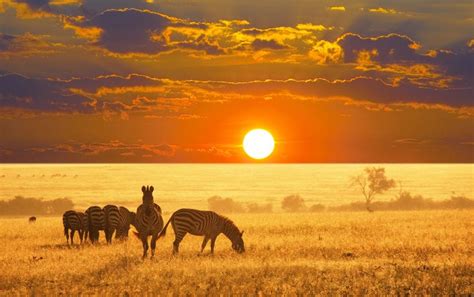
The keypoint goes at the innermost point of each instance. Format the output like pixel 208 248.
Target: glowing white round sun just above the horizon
pixel 258 144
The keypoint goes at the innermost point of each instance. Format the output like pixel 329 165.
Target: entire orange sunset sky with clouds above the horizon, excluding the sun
pixel 179 81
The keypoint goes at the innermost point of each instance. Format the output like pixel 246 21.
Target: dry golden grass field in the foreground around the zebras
pixel 321 253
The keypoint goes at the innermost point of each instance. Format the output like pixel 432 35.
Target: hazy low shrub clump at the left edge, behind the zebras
pixel 37 206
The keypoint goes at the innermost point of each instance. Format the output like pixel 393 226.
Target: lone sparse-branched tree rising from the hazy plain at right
pixel 372 181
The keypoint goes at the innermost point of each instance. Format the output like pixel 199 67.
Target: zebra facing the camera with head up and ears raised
pixel 149 221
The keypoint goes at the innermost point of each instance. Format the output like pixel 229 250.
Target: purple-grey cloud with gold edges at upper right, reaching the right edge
pixel 400 54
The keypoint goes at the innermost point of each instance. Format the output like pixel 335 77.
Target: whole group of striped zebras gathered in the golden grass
pixel 148 221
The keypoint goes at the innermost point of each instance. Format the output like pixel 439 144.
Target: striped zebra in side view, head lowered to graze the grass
pixel 203 223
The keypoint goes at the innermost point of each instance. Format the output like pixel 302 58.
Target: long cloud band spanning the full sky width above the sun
pixel 164 98
